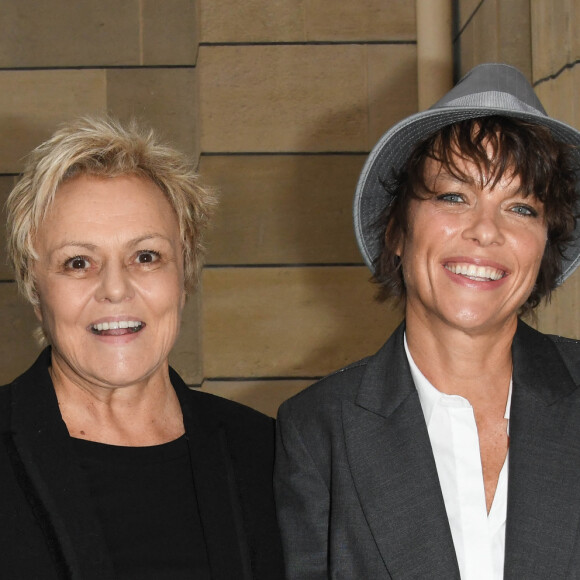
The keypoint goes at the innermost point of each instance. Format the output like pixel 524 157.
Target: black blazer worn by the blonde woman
pixel 47 526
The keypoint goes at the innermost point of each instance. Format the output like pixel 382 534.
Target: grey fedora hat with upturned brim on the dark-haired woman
pixel 488 89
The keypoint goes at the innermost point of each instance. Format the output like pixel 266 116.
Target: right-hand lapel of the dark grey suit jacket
pixel 544 468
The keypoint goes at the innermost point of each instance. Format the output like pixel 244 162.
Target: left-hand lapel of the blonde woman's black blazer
pixel 43 456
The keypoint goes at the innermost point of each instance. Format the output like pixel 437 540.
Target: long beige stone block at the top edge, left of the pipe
pixel 306 20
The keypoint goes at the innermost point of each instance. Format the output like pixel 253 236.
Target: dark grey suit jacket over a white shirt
pixel 357 490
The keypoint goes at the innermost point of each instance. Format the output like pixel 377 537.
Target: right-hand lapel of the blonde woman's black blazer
pixel 215 487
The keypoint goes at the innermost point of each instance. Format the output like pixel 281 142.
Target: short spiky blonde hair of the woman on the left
pixel 102 147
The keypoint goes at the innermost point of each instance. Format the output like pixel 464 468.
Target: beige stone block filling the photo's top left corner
pixel 57 33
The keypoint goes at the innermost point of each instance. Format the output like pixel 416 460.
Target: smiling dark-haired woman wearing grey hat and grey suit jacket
pixel 454 451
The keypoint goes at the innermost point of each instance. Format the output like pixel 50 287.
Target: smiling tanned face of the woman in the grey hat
pixel 473 250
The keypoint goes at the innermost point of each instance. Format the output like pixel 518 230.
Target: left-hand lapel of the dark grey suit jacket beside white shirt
pixel 394 470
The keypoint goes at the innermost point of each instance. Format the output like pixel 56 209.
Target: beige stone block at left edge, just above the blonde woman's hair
pixel 34 103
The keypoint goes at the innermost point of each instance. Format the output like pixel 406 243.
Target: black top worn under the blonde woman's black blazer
pixel 145 500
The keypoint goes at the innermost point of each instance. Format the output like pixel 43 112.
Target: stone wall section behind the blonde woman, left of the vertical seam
pixel 62 59
